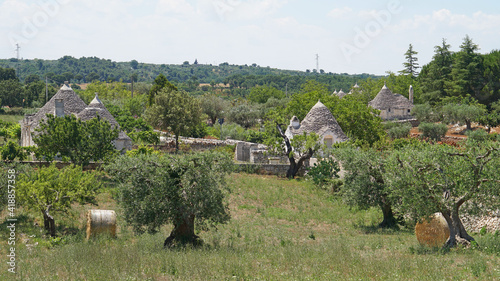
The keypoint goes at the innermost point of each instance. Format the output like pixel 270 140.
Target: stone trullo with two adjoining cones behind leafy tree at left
pixel 66 102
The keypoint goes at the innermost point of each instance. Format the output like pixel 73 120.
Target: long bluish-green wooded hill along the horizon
pixel 87 69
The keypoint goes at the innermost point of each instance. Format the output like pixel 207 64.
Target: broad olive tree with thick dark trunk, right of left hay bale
pixel 184 190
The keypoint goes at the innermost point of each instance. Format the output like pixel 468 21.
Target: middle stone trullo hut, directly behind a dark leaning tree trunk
pixel 320 121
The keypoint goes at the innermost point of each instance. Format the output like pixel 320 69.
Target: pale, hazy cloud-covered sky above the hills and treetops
pixel 338 36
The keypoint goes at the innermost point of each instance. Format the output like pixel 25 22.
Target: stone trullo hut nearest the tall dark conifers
pixel 391 106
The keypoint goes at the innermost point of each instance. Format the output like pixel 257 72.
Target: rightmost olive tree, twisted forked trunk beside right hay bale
pixel 440 178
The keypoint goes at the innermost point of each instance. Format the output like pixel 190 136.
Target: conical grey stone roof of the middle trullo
pixel 319 120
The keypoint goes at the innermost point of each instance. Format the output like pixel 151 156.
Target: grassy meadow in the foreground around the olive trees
pixel 280 230
